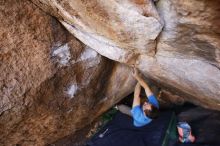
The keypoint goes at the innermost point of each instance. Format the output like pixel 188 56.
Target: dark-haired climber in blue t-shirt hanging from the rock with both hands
pixel 142 114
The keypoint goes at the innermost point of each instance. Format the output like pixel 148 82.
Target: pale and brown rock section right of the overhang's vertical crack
pixel 188 50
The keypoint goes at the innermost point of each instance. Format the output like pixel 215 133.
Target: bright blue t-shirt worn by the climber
pixel 138 115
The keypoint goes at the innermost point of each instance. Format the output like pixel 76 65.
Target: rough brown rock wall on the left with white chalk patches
pixel 51 83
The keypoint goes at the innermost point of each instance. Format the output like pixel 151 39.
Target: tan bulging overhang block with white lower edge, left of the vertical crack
pixel 120 30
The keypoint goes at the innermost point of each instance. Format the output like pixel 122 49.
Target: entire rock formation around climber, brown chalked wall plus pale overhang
pixel 52 84
